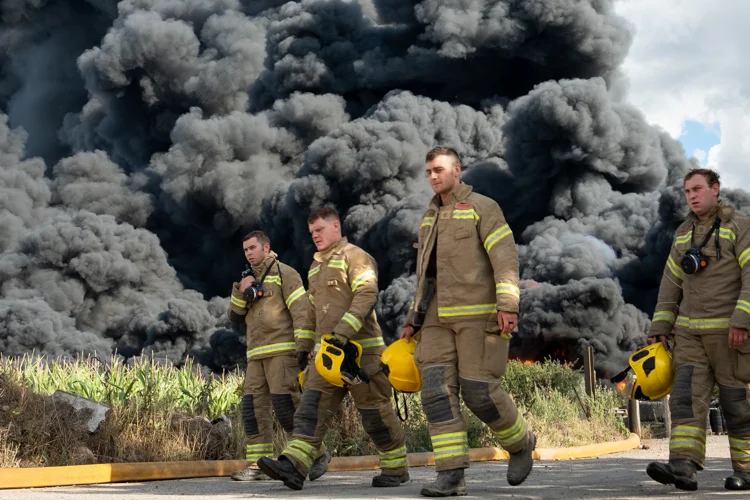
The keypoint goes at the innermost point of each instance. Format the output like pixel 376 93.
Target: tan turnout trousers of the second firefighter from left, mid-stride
pixel 321 400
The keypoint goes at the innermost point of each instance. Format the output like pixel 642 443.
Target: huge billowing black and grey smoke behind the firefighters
pixel 141 139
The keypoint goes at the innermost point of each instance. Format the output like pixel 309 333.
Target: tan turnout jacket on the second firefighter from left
pixel 343 289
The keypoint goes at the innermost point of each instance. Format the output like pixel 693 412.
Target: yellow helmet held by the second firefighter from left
pixel 340 366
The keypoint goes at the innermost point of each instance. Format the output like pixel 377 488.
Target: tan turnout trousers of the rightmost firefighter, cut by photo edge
pixel 700 361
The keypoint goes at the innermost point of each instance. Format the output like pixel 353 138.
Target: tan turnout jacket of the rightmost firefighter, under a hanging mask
pixel 717 297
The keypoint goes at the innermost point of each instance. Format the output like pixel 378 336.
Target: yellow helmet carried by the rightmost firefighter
pixel 653 371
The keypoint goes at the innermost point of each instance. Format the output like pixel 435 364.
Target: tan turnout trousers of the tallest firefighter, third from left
pixel 469 358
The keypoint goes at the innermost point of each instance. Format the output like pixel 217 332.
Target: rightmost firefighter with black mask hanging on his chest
pixel 705 293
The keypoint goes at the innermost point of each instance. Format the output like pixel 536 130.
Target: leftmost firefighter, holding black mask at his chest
pixel 272 302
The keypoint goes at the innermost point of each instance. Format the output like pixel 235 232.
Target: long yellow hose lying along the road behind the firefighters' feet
pixel 149 471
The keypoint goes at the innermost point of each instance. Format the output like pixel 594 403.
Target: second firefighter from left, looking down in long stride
pixel 343 289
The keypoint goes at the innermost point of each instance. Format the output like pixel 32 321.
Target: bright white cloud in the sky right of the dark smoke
pixel 688 62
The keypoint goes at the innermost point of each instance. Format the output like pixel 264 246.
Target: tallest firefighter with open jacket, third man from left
pixel 466 308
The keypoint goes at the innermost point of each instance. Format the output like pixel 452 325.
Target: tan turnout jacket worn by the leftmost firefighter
pixel 275 322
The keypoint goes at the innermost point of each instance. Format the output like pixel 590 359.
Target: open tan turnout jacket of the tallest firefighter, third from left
pixel 476 261
